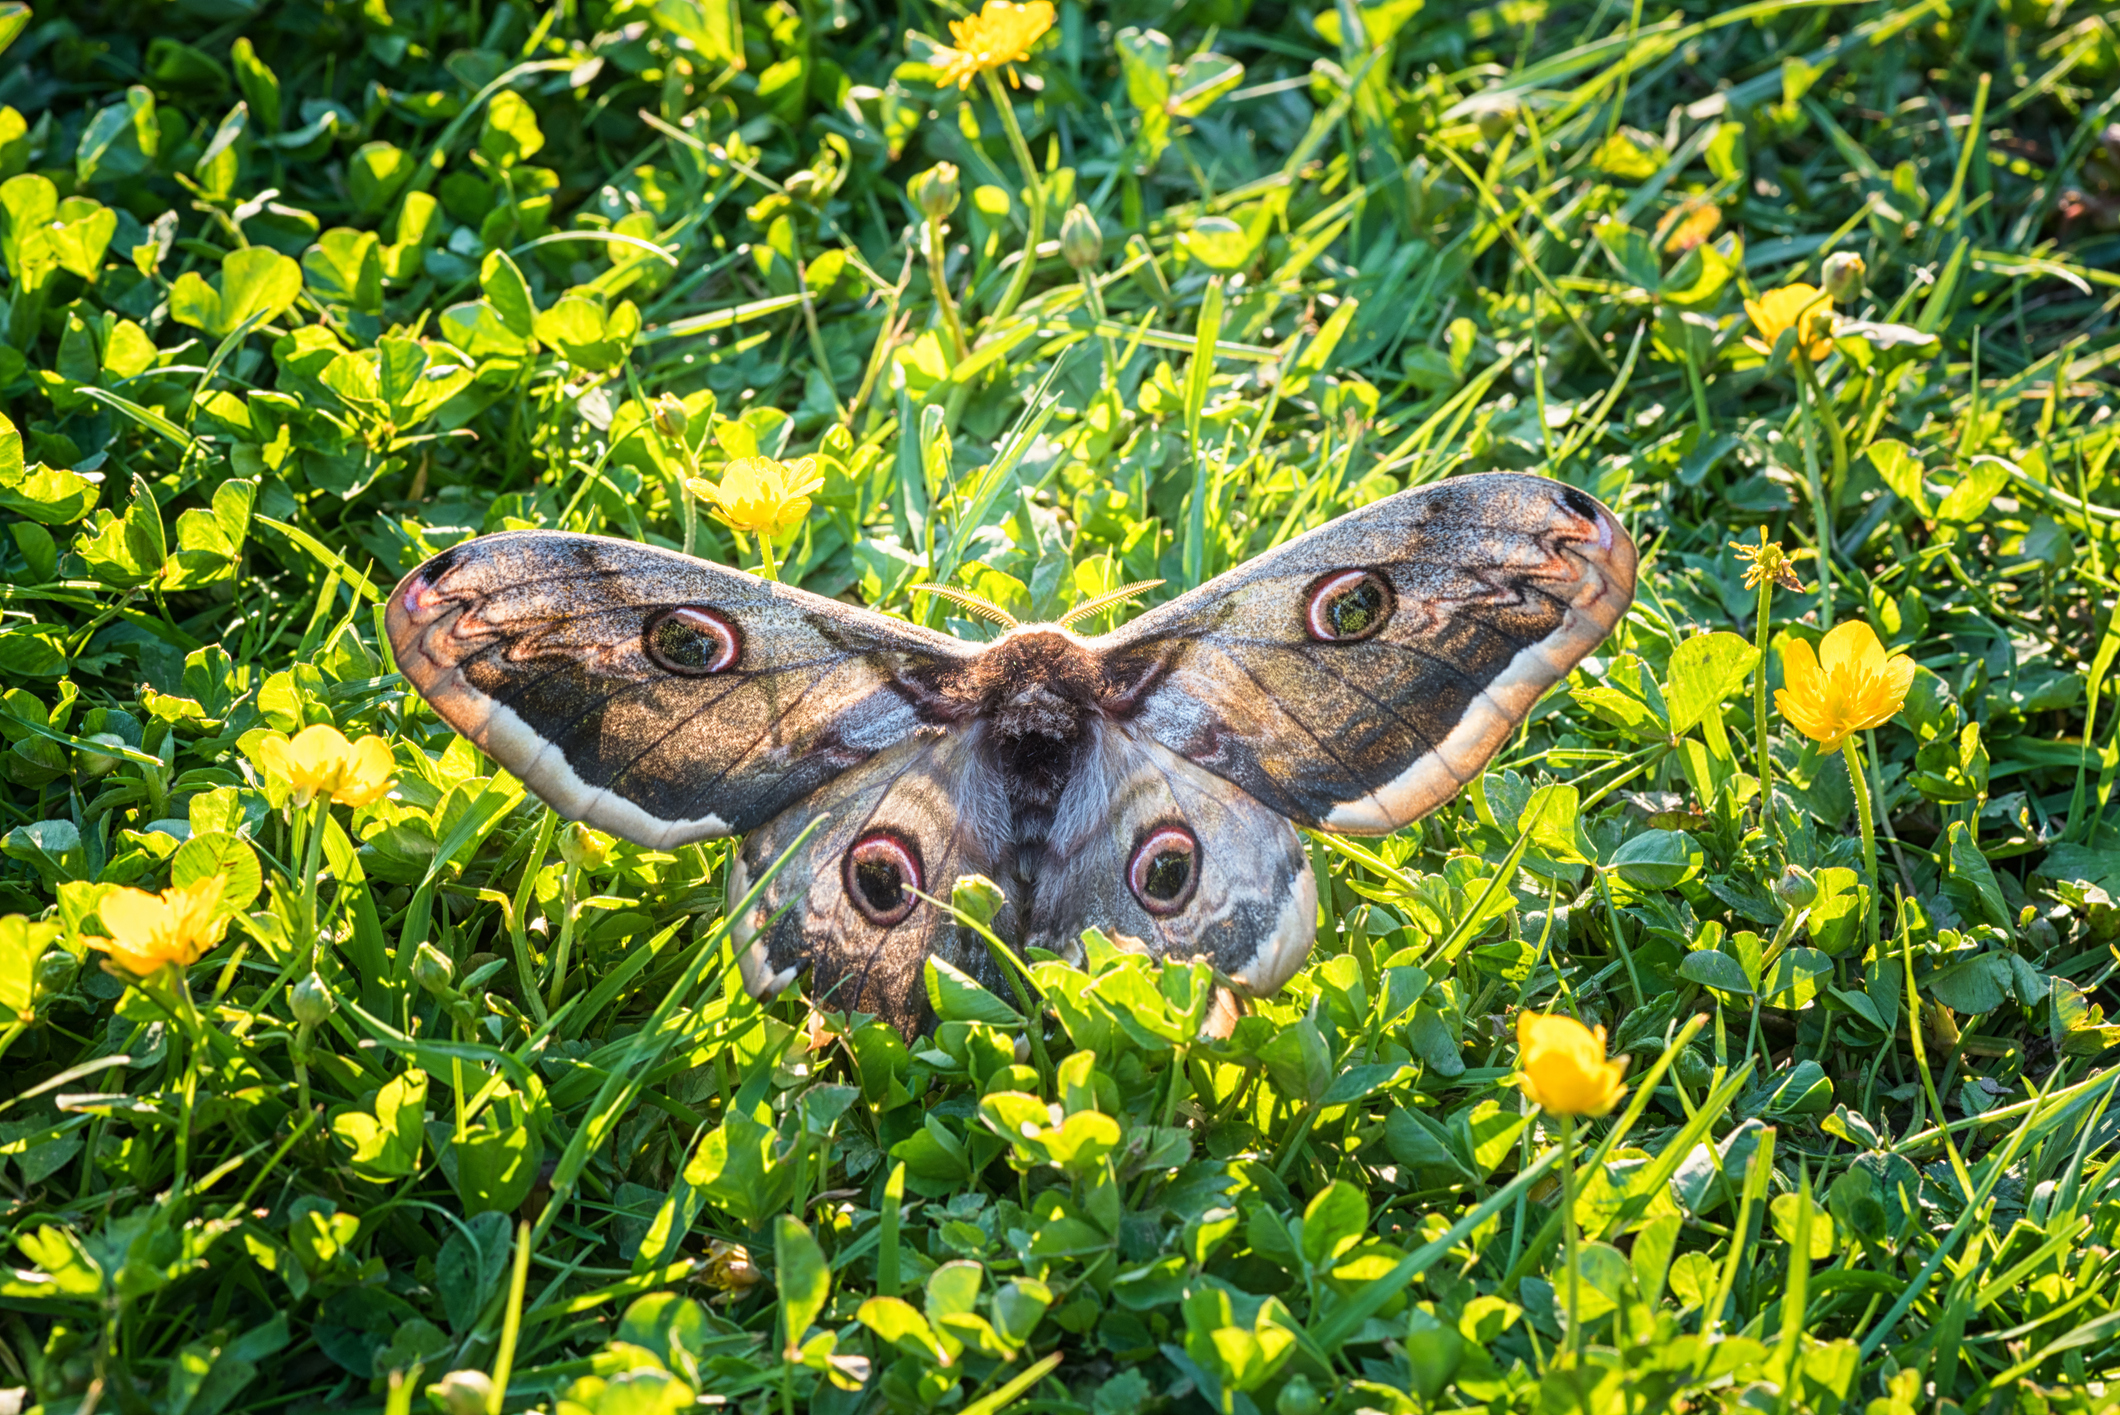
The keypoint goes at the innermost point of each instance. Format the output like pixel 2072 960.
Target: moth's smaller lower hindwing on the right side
pixel 1152 848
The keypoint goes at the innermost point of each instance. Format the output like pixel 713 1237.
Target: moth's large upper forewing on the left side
pixel 646 693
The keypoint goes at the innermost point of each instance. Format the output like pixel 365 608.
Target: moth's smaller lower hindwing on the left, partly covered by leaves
pixel 849 905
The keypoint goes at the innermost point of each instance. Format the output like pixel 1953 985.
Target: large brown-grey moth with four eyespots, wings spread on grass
pixel 1146 782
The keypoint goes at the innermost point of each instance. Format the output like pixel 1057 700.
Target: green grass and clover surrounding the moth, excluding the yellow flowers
pixel 300 294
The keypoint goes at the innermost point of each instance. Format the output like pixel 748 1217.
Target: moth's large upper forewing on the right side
pixel 1364 674
